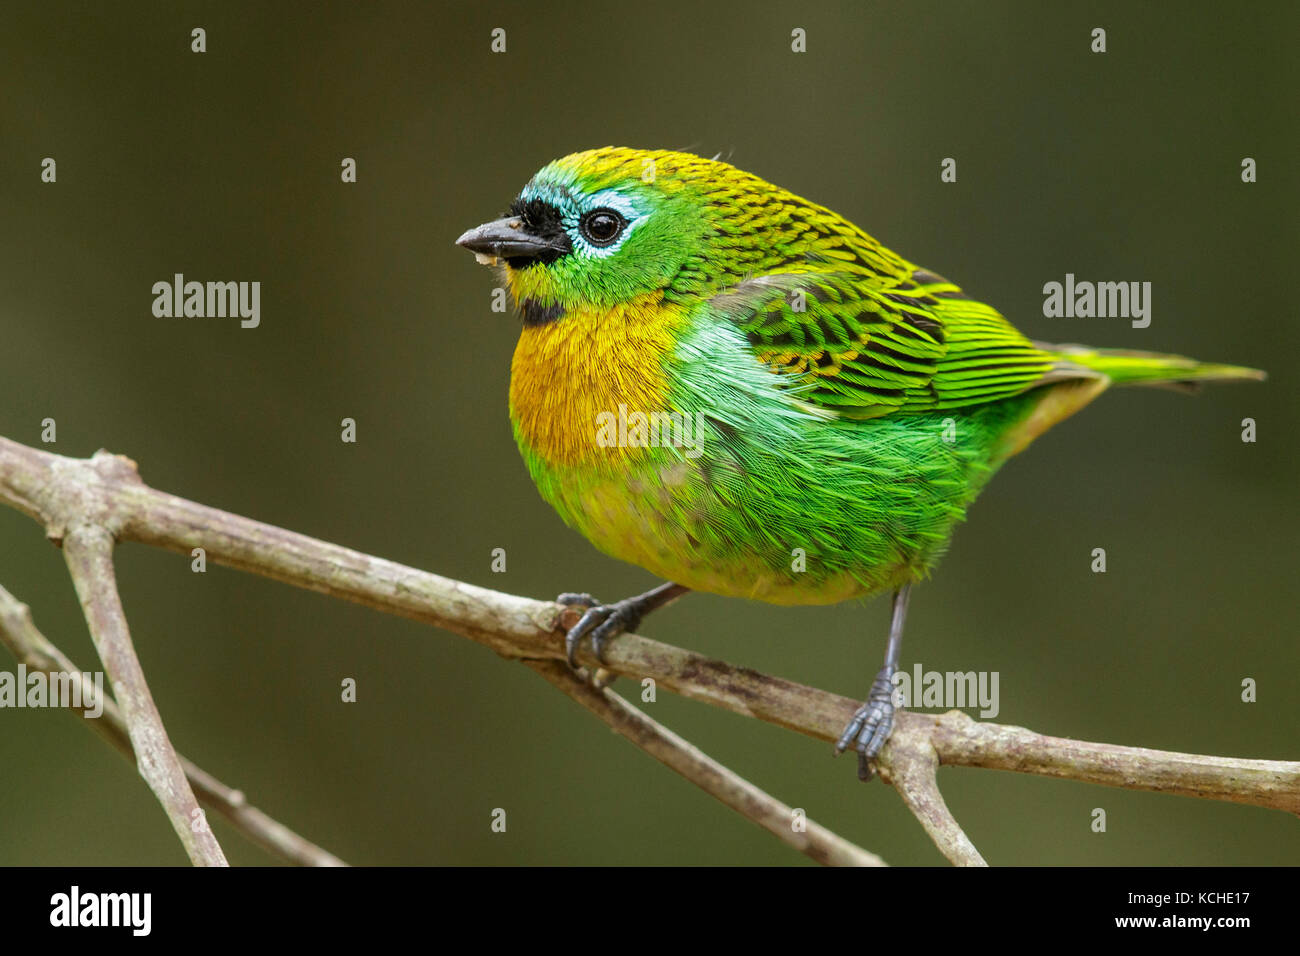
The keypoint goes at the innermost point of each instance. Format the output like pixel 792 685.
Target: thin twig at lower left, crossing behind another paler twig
pixel 29 646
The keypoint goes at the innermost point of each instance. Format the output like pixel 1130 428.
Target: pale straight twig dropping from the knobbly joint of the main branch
pixel 89 551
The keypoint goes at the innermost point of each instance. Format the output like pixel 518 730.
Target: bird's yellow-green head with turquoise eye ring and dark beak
pixel 599 228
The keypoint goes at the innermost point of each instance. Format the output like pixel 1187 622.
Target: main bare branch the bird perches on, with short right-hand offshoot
pixel 58 491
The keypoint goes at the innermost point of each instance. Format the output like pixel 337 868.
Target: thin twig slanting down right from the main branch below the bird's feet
pixel 814 841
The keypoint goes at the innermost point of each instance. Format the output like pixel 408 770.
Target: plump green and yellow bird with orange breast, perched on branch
pixel 747 395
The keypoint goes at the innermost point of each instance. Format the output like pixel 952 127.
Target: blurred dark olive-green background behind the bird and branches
pixel 226 166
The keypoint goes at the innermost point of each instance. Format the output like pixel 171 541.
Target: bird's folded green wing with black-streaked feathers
pixel 855 349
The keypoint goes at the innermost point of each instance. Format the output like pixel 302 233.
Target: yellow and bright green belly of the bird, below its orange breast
pixel 785 524
